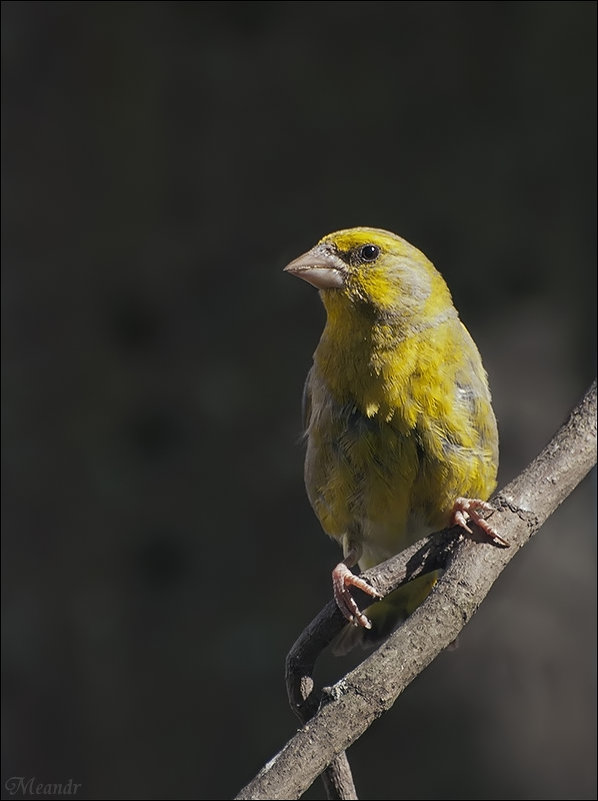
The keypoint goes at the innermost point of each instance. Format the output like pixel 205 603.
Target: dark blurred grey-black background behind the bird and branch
pixel 161 163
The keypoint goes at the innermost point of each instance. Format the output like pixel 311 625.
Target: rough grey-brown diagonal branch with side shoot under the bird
pixel 471 566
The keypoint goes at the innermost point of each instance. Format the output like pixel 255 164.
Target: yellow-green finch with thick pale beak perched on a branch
pixel 401 437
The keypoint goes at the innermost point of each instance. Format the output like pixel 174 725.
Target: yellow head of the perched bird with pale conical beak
pixel 374 273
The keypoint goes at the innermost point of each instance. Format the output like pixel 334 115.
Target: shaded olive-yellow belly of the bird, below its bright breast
pixel 371 482
